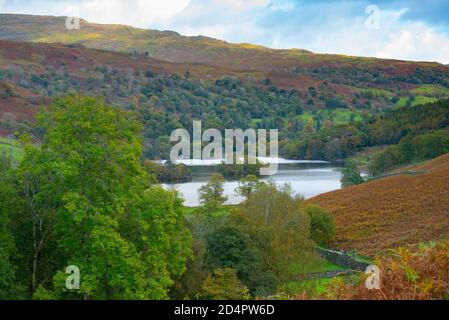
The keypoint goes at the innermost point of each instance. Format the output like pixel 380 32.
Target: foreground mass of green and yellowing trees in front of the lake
pixel 83 198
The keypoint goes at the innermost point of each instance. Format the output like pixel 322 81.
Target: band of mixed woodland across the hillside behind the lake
pixel 168 102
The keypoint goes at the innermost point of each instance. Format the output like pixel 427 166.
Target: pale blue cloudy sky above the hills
pixel 409 30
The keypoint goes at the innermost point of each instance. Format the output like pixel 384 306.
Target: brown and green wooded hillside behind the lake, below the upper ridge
pixel 320 122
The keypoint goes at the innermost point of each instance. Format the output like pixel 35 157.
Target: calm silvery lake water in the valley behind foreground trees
pixel 307 178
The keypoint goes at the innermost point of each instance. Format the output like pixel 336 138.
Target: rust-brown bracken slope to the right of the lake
pixel 394 211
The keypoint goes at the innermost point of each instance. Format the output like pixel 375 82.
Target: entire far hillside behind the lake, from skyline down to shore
pixel 314 100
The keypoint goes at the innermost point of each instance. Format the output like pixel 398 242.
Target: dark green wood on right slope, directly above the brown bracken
pixel 388 128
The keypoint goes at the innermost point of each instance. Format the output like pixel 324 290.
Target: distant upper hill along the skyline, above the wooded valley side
pixel 293 68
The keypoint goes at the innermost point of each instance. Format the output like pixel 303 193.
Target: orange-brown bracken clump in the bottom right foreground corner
pixel 420 274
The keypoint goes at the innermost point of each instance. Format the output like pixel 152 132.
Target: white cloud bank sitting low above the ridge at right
pixel 394 39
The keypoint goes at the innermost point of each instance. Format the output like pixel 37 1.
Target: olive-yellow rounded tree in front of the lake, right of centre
pixel 279 228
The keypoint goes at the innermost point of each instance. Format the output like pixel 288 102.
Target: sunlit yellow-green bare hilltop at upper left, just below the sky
pixel 164 45
